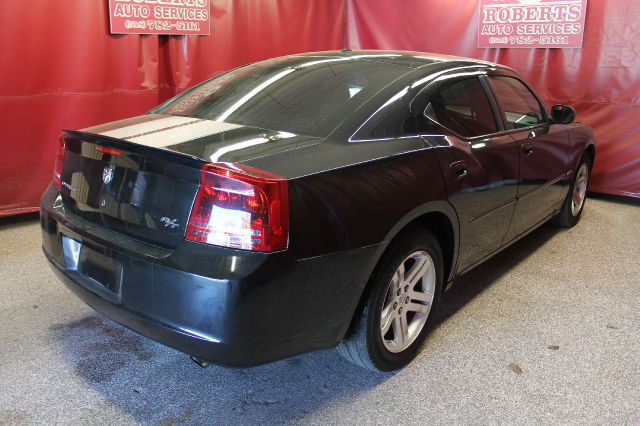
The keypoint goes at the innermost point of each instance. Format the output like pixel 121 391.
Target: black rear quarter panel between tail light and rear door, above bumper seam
pixel 344 196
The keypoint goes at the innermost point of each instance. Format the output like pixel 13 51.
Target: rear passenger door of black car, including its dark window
pixel 480 166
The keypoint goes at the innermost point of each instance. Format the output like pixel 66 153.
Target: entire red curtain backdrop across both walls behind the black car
pixel 62 69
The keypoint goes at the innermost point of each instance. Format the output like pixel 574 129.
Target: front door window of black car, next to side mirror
pixel 520 106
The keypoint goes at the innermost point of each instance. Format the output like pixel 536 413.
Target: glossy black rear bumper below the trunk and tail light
pixel 229 307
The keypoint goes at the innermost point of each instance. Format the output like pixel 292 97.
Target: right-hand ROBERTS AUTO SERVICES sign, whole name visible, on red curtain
pixel 531 23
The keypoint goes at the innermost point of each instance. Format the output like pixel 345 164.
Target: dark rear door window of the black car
pixel 462 106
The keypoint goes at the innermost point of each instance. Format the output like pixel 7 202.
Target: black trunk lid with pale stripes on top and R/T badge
pixel 140 176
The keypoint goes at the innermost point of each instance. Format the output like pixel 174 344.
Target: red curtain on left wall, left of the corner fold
pixel 62 69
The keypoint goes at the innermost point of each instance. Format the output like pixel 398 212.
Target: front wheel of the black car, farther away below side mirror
pixel 574 203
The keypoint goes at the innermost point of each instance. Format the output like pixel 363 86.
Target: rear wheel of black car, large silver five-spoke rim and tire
pixel 398 309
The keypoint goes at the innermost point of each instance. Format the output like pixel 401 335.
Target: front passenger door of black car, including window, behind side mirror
pixel 543 152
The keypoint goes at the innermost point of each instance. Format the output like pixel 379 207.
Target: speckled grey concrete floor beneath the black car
pixel 548 331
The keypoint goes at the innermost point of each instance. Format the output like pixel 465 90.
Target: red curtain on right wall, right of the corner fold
pixel 601 80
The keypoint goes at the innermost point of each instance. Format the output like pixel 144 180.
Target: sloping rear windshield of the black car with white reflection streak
pixel 309 96
